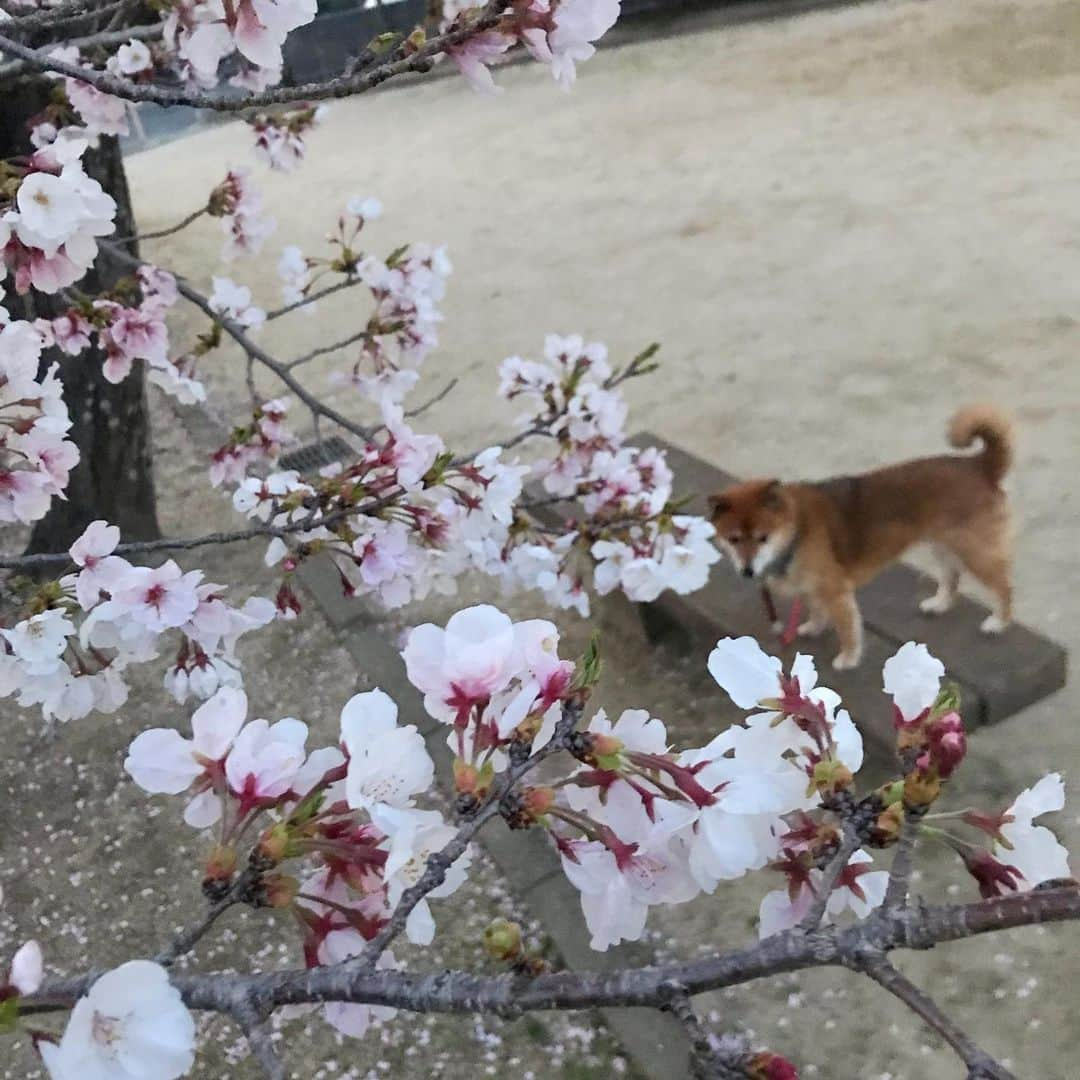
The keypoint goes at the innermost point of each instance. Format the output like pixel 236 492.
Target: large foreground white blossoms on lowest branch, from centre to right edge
pixel 638 825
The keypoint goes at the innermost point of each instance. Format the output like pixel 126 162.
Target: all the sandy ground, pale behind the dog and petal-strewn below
pixel 841 226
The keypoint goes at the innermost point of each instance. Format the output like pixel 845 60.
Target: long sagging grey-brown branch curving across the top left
pixel 399 63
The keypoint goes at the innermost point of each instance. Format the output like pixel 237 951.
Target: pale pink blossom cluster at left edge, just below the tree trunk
pixel 70 651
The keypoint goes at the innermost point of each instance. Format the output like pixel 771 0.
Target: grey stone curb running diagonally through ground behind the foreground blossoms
pixel 654 1039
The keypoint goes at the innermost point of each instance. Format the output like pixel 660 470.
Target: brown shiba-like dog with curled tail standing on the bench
pixel 822 542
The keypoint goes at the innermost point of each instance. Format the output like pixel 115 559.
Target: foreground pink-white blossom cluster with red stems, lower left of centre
pixel 344 817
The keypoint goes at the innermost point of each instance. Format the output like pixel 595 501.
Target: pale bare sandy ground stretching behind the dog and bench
pixel 840 226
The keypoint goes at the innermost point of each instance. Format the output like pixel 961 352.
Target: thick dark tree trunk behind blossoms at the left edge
pixel 111 424
